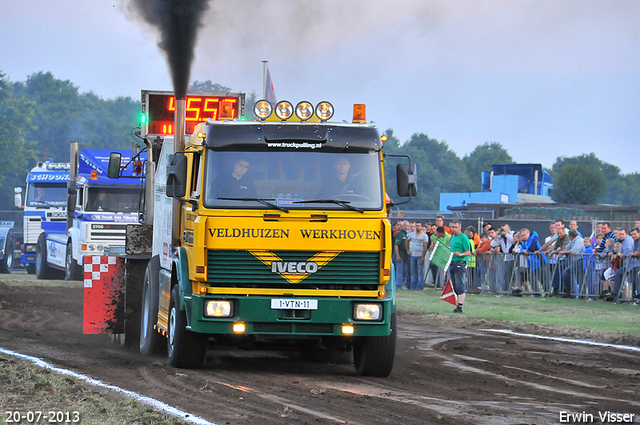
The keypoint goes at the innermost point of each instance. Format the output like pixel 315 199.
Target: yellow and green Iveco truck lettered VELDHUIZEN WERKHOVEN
pixel 266 233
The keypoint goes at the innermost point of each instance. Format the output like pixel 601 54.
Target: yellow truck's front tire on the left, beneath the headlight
pixel 186 349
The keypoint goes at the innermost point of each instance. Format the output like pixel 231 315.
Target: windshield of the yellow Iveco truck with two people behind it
pixel 293 180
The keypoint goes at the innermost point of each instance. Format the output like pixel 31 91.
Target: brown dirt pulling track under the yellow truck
pixel 448 370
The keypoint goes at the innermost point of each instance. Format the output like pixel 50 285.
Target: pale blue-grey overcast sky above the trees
pixel 545 78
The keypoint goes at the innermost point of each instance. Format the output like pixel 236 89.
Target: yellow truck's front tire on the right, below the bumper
pixel 373 355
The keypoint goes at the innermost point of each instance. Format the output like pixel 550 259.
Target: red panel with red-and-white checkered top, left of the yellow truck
pixel 104 300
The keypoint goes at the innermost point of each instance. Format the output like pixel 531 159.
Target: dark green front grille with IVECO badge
pixel 242 269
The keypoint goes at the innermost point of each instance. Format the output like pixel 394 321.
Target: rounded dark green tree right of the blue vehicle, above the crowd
pixel 579 184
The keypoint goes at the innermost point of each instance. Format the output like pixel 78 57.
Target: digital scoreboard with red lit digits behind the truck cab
pixel 158 110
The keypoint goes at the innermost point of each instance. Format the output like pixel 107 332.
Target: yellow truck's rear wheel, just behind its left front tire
pixel 151 342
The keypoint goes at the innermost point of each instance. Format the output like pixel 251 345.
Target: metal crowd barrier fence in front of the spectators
pixel 578 276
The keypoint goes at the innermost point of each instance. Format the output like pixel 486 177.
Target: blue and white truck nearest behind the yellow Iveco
pixel 100 210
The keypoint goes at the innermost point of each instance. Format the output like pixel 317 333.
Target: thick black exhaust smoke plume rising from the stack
pixel 178 22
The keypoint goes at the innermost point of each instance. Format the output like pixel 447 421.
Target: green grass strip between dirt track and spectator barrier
pixel 590 315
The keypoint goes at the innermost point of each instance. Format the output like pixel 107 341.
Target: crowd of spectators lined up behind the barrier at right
pixel 604 265
